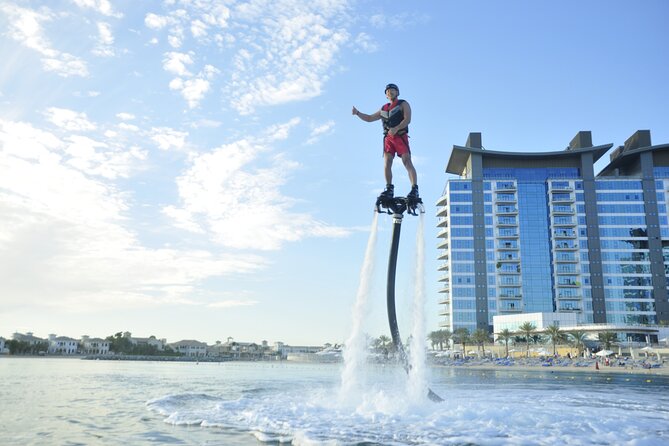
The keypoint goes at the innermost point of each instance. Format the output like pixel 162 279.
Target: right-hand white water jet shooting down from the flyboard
pixel 417 381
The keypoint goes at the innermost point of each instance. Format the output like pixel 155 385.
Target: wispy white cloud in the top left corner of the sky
pixel 25 26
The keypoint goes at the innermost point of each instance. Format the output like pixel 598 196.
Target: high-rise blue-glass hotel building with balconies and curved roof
pixel 540 232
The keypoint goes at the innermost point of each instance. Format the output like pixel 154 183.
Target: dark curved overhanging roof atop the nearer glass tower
pixel 460 154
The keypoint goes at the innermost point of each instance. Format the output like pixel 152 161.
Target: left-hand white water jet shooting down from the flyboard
pixel 355 350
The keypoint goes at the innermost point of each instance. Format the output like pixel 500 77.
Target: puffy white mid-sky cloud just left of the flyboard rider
pixel 233 193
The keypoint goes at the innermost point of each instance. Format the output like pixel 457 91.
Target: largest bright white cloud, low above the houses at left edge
pixel 65 239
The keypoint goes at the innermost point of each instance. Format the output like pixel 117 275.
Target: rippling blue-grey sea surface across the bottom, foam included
pixel 46 401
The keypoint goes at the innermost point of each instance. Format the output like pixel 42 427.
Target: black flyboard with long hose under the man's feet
pixel 397 206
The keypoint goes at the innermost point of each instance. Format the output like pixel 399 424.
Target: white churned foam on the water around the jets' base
pixel 495 413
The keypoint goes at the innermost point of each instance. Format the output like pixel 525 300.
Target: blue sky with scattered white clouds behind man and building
pixel 191 169
